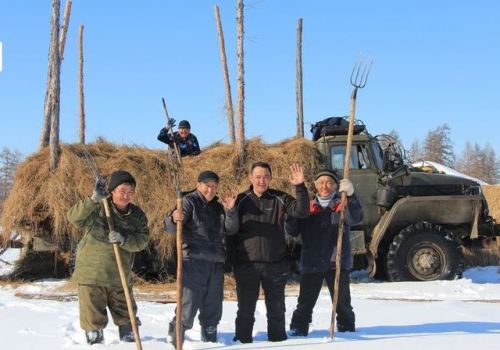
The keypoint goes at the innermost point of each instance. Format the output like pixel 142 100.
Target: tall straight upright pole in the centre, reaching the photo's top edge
pixel 241 85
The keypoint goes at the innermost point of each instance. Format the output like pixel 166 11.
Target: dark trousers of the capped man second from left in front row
pixel 202 290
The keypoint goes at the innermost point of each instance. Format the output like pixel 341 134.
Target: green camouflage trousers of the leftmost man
pixel 93 302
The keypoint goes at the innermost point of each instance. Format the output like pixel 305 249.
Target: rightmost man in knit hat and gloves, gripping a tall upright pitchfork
pixel 319 232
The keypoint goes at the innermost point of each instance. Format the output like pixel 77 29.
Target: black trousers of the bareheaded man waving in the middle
pixel 249 278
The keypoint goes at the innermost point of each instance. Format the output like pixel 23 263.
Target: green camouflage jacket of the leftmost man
pixel 95 259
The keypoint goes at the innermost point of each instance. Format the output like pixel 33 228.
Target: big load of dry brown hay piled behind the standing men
pixel 38 202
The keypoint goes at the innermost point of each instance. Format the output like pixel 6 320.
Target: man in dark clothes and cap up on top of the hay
pixel 188 143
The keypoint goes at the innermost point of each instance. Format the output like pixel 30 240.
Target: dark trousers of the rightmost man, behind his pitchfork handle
pixel 310 287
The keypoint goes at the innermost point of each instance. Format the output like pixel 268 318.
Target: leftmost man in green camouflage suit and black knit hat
pixel 96 270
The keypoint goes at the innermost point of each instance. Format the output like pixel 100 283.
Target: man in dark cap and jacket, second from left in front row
pixel 203 219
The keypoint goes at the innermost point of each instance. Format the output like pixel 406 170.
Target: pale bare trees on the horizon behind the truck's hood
pixel 475 160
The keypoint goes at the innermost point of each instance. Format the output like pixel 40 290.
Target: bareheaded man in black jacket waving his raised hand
pixel 260 249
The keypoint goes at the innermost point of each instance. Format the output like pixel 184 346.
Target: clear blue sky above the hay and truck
pixel 434 62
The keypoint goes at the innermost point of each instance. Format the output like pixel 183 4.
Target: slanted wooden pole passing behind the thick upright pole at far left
pixel 45 135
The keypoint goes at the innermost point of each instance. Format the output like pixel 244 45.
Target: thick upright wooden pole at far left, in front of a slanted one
pixel 54 87
